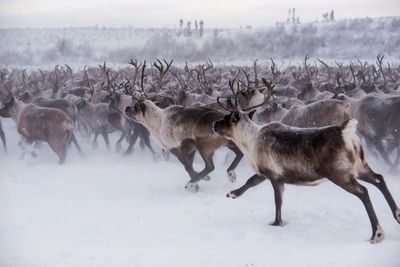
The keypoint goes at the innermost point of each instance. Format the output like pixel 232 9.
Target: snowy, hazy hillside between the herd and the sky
pixel 342 40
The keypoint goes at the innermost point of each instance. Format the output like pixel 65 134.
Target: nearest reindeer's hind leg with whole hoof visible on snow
pixel 352 186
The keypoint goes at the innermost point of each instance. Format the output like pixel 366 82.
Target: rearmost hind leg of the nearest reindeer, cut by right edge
pixel 378 181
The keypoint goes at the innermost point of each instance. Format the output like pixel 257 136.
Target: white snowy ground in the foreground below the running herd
pixel 109 210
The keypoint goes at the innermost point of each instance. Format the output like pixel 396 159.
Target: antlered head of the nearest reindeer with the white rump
pixel 237 118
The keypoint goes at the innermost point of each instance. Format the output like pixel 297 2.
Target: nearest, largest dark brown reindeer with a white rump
pixel 285 154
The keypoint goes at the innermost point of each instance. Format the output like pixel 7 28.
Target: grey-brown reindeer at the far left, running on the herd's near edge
pixel 36 123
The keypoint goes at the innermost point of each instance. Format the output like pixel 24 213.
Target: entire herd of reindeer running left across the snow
pixel 295 125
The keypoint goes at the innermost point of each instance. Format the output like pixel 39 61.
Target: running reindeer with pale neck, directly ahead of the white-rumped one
pixel 183 131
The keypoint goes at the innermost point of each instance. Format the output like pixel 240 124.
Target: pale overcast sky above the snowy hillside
pixel 166 13
